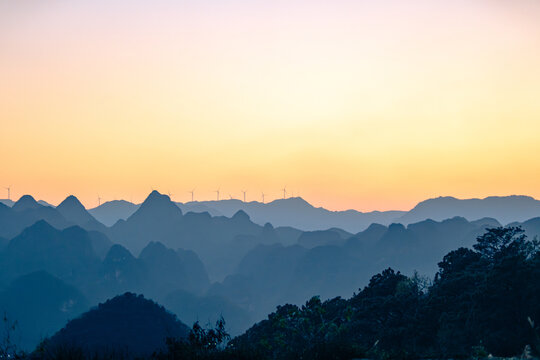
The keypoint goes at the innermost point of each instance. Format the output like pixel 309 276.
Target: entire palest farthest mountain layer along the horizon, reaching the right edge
pixel 299 214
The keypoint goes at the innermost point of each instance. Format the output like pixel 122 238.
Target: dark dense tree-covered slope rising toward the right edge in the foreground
pixel 483 300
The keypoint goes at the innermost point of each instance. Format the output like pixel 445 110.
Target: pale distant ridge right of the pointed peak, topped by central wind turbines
pixel 298 213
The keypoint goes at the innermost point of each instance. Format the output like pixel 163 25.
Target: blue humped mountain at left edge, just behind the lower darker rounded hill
pixel 67 254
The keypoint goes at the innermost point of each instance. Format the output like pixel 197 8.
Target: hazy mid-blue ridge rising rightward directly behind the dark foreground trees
pixel 275 274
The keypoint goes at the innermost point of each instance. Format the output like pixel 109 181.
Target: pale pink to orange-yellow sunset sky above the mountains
pixel 364 104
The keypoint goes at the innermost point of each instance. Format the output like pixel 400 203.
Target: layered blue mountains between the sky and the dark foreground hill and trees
pixel 201 266
